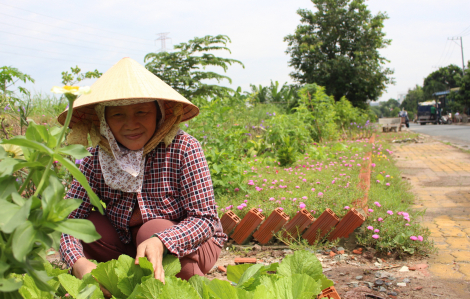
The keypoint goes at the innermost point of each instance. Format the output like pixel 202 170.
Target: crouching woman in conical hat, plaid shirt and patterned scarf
pixel 152 177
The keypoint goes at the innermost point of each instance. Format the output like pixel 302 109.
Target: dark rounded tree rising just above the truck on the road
pixel 443 79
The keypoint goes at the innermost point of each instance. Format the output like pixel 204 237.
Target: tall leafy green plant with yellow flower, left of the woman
pixel 33 223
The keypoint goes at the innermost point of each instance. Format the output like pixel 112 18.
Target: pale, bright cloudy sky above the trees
pixel 44 38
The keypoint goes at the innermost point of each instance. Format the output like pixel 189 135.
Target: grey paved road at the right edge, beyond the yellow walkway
pixel 456 134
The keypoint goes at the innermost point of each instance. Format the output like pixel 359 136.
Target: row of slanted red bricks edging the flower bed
pixel 302 224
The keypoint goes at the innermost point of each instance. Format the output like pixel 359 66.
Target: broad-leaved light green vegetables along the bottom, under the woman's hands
pixel 298 276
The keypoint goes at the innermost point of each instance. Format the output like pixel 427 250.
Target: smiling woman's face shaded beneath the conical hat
pixel 132 125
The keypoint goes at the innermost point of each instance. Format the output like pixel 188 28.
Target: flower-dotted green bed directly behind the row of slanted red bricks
pixel 314 184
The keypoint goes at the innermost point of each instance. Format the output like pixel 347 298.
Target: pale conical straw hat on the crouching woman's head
pixel 127 79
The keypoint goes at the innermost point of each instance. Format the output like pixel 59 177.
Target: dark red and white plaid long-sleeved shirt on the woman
pixel 177 186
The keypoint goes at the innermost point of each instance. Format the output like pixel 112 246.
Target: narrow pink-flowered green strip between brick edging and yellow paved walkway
pixel 392 221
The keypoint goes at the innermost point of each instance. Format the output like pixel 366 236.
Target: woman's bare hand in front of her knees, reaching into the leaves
pixel 153 249
